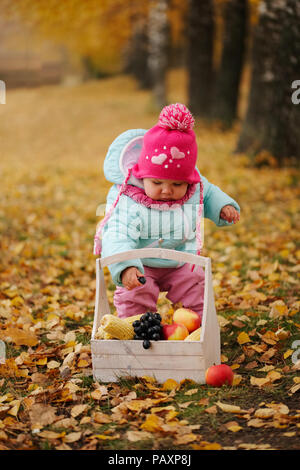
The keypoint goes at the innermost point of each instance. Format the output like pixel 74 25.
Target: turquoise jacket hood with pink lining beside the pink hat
pixel 122 154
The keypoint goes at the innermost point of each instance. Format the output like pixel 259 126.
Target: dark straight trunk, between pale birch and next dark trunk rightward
pixel 200 35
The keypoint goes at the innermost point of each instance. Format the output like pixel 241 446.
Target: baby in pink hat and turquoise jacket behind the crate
pixel 160 203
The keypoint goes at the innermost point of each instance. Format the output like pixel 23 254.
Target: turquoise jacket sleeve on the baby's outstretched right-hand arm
pixel 214 199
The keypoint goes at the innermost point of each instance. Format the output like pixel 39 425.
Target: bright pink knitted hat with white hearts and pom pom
pixel 169 148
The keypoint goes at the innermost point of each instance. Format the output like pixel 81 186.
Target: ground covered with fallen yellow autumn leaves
pixel 53 142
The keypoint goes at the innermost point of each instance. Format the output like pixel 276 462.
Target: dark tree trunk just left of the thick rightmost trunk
pixel 229 74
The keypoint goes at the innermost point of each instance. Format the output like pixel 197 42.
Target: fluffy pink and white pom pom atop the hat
pixel 176 117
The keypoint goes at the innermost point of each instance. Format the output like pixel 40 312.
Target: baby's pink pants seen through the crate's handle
pixel 182 285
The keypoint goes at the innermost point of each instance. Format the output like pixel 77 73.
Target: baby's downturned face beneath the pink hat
pixel 164 190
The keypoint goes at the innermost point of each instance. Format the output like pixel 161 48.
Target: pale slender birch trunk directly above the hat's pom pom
pixel 158 36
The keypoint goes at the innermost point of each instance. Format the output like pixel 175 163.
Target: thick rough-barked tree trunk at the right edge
pixel 272 120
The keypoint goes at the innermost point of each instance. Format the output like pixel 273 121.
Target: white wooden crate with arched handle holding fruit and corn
pixel 178 360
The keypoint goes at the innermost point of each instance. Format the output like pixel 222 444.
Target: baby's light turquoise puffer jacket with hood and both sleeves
pixel 133 224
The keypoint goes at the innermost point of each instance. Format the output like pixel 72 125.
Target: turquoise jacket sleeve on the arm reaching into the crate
pixel 121 233
